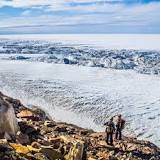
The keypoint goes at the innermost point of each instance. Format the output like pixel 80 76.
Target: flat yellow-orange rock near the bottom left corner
pixel 19 148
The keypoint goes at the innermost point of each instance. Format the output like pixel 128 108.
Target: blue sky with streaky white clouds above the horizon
pixel 79 16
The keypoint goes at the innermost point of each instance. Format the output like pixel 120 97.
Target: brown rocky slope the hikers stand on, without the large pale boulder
pixel 40 138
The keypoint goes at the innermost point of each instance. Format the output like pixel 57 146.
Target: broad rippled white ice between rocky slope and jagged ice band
pixel 87 96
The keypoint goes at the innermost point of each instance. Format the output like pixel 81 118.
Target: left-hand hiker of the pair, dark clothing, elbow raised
pixel 110 129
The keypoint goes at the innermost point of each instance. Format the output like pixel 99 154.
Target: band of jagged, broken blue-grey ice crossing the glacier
pixel 141 61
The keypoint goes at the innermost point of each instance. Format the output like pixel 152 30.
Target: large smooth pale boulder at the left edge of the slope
pixel 8 122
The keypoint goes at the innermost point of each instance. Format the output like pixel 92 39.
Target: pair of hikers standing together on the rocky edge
pixel 112 128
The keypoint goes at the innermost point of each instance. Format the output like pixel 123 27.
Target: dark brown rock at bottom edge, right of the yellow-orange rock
pixel 51 153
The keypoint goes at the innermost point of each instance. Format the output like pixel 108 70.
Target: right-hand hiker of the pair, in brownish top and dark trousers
pixel 119 127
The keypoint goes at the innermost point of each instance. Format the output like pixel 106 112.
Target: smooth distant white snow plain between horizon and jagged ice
pixel 109 41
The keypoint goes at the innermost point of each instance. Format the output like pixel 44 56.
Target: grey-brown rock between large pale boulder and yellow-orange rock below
pixel 22 138
